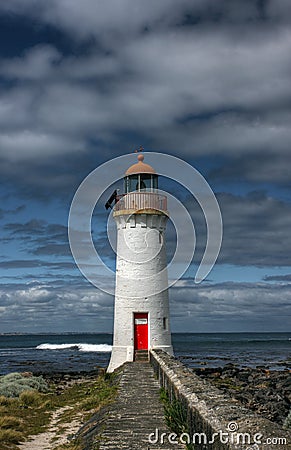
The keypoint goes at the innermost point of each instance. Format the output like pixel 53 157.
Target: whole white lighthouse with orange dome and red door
pixel 141 312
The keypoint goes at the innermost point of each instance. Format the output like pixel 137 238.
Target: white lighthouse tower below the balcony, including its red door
pixel 140 321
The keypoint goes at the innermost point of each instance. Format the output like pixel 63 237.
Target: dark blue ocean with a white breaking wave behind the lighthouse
pixel 72 352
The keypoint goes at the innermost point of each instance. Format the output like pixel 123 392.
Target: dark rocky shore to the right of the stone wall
pixel 262 390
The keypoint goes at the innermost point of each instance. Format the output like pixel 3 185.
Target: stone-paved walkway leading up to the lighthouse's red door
pixel 137 413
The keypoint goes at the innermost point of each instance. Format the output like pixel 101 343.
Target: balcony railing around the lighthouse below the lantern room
pixel 136 201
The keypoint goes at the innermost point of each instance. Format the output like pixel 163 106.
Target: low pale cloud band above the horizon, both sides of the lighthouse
pixel 225 306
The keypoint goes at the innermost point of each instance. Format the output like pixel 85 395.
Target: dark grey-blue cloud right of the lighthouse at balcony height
pixel 256 230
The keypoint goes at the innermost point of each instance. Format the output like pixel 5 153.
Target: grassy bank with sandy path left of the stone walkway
pixel 31 411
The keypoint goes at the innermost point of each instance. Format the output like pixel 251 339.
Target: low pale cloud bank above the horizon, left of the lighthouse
pixel 43 307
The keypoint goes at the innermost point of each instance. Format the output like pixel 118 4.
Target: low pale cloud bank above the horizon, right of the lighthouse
pixel 232 306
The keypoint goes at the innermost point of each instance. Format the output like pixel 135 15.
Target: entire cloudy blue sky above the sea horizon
pixel 84 82
